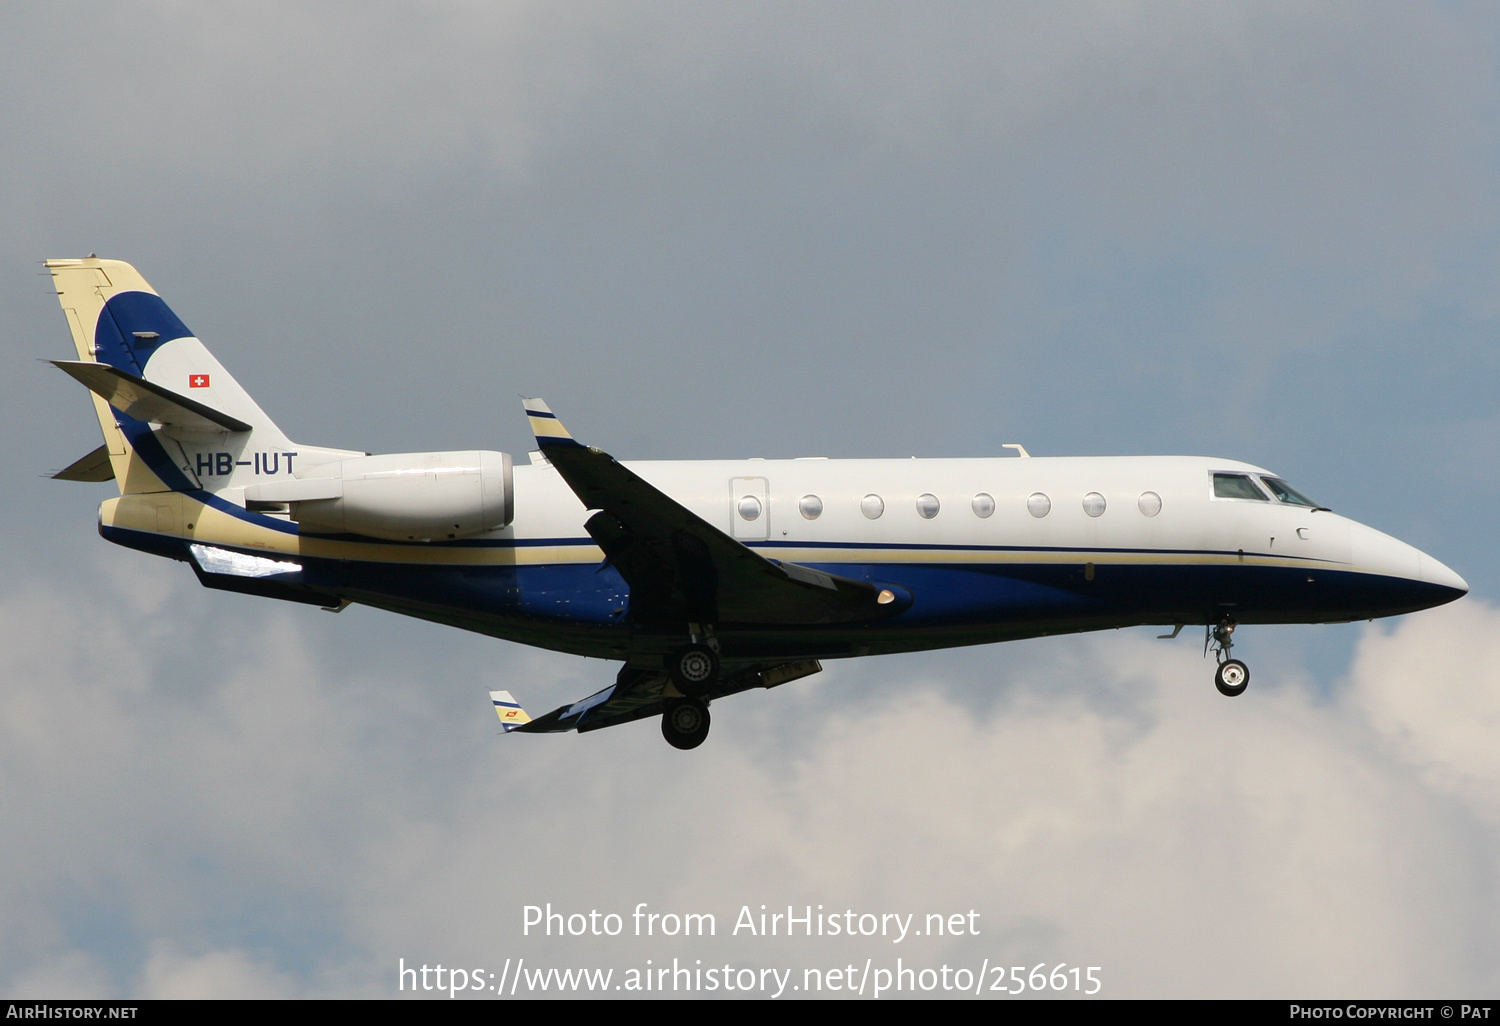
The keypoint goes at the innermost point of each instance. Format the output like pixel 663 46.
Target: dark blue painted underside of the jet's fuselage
pixel 581 608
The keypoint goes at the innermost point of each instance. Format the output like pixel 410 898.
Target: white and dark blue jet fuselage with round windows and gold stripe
pixel 1064 545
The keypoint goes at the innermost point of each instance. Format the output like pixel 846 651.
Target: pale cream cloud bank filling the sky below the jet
pixel 1109 809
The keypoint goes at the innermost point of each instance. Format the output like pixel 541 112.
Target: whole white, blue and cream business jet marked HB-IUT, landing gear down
pixel 703 578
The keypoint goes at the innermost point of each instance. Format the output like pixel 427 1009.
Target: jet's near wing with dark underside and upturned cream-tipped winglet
pixel 683 569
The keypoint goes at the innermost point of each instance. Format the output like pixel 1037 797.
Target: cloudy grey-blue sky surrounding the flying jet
pixel 1259 232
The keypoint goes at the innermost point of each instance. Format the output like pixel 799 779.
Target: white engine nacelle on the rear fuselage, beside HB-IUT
pixel 407 497
